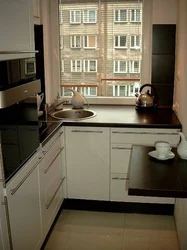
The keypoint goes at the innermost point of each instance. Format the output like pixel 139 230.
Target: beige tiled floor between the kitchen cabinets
pixel 85 230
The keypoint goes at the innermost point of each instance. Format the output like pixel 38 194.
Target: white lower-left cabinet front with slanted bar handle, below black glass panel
pixel 24 208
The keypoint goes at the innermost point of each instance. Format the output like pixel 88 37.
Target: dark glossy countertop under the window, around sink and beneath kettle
pixel 126 116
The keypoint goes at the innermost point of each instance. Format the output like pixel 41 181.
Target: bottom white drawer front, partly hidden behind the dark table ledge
pixel 119 192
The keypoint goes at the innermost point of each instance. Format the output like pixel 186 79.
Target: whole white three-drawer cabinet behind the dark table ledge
pixel 122 140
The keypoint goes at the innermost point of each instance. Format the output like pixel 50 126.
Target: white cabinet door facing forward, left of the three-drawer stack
pixel 87 159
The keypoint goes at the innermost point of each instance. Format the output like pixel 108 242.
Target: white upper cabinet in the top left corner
pixel 16 28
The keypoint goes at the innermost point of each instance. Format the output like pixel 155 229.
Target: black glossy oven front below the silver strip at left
pixel 19 131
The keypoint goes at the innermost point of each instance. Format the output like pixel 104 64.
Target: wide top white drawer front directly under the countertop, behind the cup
pixel 144 136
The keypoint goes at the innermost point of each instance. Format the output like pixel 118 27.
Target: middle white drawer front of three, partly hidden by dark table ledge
pixel 120 156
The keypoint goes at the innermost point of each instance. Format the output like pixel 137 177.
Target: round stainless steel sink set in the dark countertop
pixel 73 114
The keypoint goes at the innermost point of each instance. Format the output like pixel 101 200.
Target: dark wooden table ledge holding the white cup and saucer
pixel 152 177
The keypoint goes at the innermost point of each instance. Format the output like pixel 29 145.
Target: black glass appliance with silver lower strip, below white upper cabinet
pixel 18 81
